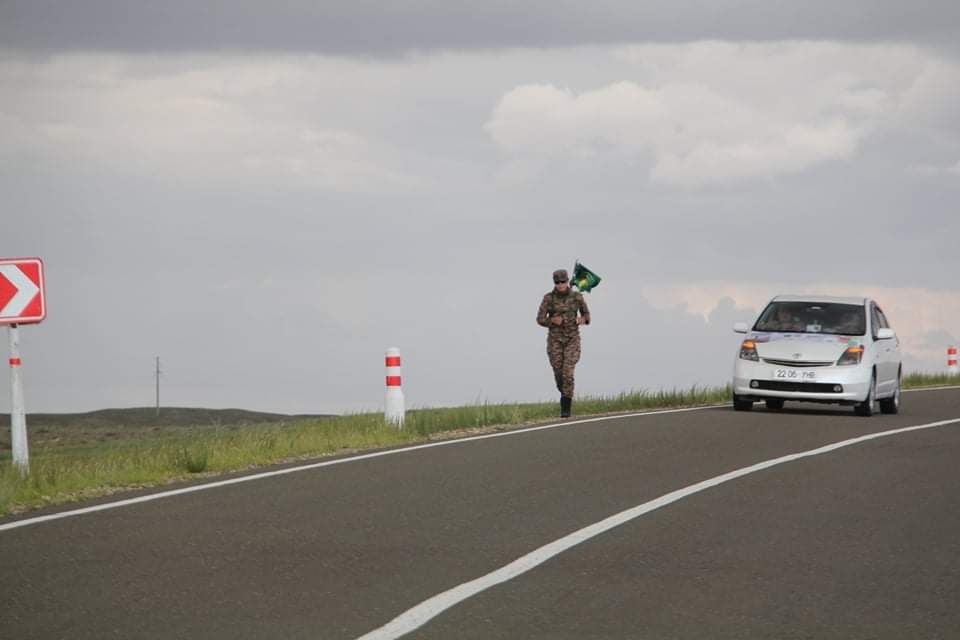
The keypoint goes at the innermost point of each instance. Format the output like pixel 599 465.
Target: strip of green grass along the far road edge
pixel 66 474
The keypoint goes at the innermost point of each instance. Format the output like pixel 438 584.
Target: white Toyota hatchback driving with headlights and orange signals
pixel 819 349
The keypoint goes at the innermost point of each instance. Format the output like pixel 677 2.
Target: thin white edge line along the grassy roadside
pixel 279 472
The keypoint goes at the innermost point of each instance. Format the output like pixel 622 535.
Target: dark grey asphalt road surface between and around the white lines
pixel 861 542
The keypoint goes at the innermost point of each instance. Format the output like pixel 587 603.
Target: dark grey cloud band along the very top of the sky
pixel 365 27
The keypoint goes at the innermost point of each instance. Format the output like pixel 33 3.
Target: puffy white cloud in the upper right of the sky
pixel 712 112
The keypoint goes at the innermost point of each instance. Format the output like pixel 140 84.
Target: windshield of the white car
pixel 813 317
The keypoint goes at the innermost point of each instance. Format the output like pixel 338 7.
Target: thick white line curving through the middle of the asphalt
pixel 419 615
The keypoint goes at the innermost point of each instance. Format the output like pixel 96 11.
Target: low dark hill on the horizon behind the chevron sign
pixel 147 417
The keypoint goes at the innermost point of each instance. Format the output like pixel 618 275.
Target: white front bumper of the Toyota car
pixel 758 381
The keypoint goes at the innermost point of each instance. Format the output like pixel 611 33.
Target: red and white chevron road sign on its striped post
pixel 22 301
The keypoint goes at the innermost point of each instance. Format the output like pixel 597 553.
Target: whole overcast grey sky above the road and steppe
pixel 268 198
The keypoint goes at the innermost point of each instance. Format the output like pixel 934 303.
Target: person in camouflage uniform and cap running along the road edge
pixel 562 311
